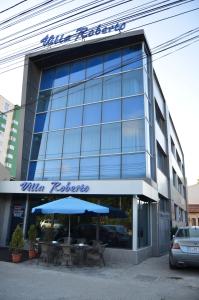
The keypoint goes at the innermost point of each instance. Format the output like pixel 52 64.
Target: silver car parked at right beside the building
pixel 185 247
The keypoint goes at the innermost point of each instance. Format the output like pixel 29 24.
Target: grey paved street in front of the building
pixel 149 280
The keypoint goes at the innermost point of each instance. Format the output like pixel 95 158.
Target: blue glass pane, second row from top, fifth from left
pixel 112 87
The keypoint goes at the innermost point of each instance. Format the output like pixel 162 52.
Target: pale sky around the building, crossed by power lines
pixel 178 73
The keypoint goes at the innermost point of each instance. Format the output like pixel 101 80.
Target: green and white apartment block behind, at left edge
pixel 9 134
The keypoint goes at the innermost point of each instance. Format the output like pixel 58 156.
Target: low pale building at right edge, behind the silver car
pixel 193 204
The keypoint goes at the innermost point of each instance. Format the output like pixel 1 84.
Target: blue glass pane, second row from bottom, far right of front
pixel 133 136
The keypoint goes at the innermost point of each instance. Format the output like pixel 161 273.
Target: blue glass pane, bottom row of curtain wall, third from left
pixel 70 169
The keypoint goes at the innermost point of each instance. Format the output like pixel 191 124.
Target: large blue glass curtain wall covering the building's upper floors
pixel 91 119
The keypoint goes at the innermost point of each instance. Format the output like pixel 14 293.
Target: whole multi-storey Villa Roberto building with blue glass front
pixel 101 130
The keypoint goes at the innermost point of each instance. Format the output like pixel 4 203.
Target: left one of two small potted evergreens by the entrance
pixel 16 244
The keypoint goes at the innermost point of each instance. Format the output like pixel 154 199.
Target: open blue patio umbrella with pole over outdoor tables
pixel 70 206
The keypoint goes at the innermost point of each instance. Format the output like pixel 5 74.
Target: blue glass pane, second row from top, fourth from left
pixel 93 90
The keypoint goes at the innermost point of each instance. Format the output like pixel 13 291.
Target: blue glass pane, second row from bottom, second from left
pixel 54 144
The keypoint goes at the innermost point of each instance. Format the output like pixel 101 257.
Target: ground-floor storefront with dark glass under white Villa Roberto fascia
pixel 130 232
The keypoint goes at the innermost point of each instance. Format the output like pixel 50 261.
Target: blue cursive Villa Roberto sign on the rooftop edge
pixel 81 33
